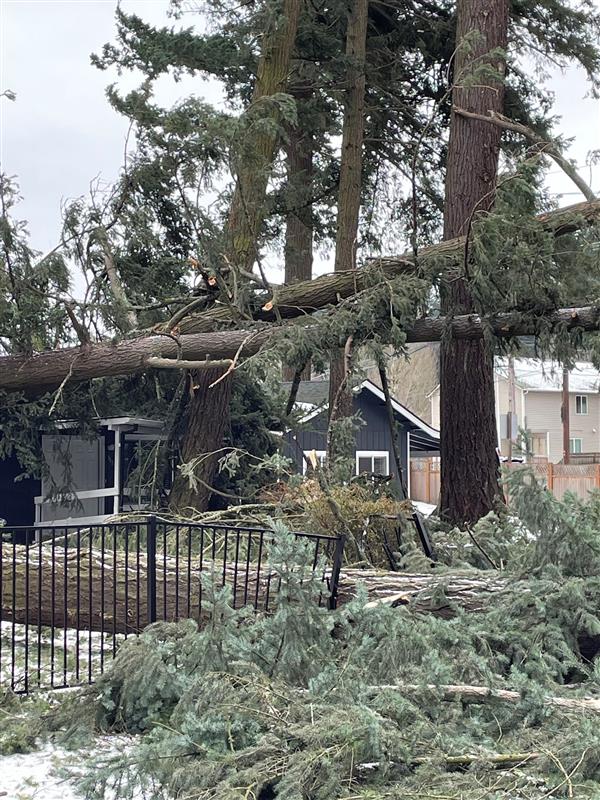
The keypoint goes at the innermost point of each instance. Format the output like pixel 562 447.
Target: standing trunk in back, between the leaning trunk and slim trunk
pixel 298 252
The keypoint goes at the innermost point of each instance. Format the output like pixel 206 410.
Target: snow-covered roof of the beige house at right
pixel 536 375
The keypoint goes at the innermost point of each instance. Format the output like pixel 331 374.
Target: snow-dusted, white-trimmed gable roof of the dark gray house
pixel 313 396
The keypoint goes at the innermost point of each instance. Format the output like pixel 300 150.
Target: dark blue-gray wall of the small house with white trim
pixel 373 435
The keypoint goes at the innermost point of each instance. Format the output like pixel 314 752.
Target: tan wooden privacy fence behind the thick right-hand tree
pixel 580 479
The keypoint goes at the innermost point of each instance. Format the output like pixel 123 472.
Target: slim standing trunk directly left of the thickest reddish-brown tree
pixel 349 193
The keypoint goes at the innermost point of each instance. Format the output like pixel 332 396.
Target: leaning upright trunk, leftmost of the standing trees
pixel 246 213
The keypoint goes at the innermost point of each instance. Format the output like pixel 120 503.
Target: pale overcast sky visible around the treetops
pixel 61 132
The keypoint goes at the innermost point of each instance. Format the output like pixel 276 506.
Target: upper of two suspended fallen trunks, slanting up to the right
pixel 305 297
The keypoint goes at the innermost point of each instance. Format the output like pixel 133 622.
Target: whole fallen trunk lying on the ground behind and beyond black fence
pixel 92 588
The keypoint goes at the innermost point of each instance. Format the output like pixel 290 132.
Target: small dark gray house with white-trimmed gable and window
pixel 373 450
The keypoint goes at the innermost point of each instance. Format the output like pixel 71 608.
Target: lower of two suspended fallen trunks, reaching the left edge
pixel 47 370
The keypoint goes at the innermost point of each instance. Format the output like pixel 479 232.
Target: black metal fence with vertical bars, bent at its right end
pixel 71 594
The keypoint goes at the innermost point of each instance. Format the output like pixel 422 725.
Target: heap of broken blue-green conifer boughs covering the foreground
pixel 307 704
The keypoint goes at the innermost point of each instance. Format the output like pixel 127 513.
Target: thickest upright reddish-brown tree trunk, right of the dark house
pixel 469 475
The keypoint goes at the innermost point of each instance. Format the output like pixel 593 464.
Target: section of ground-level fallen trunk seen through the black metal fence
pixel 107 590
